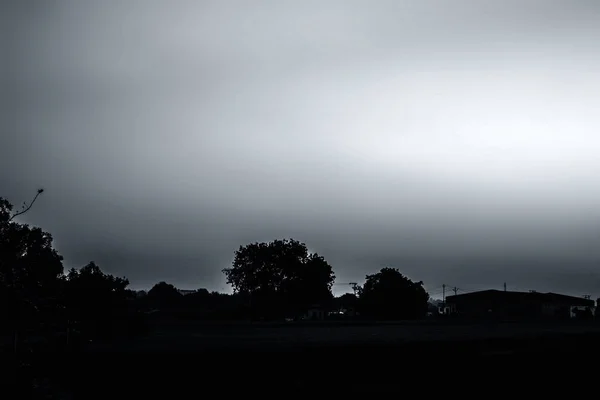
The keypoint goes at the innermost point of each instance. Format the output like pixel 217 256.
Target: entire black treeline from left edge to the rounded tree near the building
pixel 279 280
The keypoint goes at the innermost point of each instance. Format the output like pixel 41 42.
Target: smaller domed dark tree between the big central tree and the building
pixel 390 295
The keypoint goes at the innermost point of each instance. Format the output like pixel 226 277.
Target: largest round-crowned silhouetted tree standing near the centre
pixel 280 277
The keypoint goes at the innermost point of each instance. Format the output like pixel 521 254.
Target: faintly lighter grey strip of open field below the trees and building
pixel 278 337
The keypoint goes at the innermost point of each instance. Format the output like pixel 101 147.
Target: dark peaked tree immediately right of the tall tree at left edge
pixel 95 300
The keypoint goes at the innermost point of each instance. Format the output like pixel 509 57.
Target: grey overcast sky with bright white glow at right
pixel 455 140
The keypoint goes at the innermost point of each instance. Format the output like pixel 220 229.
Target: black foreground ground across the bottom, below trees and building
pixel 222 361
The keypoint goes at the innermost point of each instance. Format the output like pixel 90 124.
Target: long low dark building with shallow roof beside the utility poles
pixel 519 305
